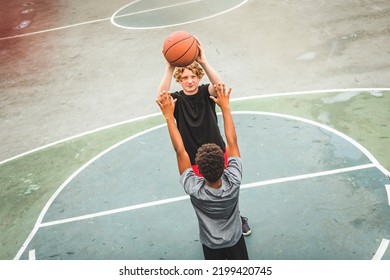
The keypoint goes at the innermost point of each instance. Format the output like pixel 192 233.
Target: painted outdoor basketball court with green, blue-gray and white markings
pixel 88 170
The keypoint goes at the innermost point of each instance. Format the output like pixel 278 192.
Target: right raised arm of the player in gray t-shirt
pixel 222 101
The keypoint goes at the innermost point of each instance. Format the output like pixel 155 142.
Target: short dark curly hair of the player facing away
pixel 211 162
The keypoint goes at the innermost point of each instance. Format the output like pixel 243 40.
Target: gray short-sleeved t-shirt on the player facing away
pixel 217 209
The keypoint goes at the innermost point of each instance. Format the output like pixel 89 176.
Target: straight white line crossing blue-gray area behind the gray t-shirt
pixel 175 199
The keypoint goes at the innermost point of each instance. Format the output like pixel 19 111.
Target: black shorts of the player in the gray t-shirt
pixel 236 252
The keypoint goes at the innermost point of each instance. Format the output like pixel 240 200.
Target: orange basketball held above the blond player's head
pixel 180 48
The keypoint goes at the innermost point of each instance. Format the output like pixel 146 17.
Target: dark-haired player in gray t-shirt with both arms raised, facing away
pixel 215 196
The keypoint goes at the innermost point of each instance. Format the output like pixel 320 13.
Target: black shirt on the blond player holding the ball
pixel 197 120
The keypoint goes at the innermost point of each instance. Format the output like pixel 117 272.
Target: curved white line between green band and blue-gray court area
pixel 38 223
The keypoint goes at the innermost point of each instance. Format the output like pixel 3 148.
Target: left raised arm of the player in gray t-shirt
pixel 167 106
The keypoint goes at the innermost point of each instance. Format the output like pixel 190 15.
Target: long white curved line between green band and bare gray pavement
pixel 157 114
